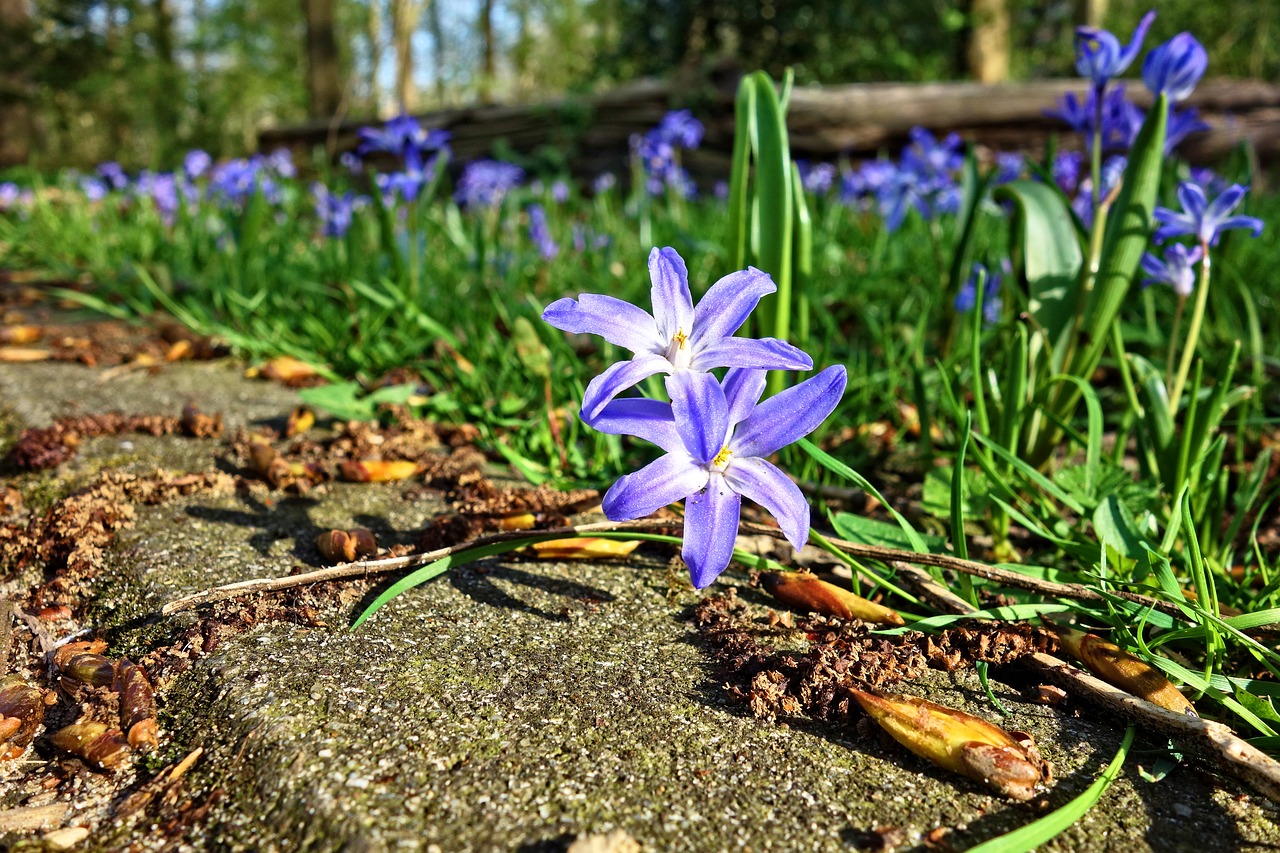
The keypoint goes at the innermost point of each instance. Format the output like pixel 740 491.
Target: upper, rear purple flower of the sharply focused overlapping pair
pixel 676 337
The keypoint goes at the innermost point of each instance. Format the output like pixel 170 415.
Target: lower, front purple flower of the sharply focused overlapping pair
pixel 717 437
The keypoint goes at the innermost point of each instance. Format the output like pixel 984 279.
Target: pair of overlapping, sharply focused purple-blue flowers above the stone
pixel 716 434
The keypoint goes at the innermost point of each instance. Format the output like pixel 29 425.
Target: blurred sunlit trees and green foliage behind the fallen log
pixel 141 81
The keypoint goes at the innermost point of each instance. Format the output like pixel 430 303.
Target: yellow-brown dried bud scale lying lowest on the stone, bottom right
pixel 958 742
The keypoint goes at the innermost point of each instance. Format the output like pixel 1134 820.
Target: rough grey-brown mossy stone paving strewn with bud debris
pixel 523 705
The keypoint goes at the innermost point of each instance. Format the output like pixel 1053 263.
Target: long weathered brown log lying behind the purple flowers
pixel 831 122
